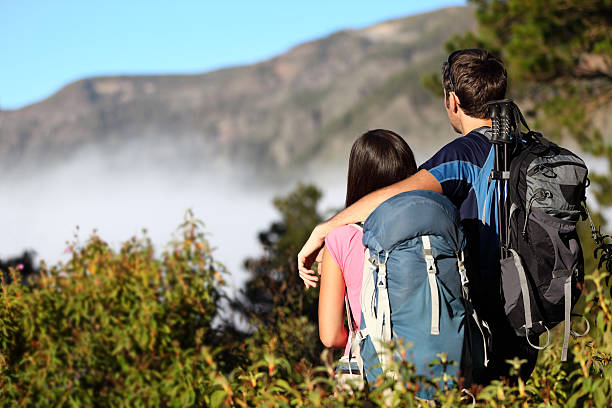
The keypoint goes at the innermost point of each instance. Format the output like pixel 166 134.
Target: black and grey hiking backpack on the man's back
pixel 542 274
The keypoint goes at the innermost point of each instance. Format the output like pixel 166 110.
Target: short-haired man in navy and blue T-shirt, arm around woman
pixel 460 171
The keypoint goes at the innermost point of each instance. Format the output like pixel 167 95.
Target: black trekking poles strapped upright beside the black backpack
pixel 501 112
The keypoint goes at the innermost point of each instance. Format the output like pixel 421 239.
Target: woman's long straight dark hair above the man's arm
pixel 378 159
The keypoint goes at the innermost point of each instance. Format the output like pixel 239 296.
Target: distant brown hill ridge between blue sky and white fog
pixel 304 106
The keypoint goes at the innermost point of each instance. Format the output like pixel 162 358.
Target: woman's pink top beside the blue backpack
pixel 345 247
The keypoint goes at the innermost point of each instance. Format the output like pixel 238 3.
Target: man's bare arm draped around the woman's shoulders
pixel 358 212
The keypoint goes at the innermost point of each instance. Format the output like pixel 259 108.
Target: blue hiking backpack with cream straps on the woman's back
pixel 415 289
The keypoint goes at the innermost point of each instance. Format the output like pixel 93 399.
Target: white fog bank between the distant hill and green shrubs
pixel 42 212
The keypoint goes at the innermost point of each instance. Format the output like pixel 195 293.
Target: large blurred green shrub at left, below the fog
pixel 112 328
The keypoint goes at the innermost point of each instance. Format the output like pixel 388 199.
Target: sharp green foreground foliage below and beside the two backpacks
pixel 584 381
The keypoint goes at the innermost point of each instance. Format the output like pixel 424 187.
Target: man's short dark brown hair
pixel 477 77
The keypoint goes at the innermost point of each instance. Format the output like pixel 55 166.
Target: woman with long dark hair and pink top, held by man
pixel 378 158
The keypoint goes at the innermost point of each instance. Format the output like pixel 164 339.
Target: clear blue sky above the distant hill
pixel 47 44
